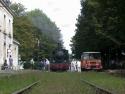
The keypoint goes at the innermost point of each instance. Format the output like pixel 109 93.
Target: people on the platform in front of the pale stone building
pixel 9 65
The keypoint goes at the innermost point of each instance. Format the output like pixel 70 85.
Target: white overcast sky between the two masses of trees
pixel 62 12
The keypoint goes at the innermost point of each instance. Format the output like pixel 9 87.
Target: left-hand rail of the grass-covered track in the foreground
pixel 23 90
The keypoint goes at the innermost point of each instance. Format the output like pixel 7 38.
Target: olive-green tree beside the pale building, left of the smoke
pixel 24 32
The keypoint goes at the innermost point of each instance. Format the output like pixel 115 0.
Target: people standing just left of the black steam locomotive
pixel 45 64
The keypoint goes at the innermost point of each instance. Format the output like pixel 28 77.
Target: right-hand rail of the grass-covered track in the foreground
pixel 98 90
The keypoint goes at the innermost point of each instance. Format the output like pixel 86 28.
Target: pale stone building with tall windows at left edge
pixel 8 46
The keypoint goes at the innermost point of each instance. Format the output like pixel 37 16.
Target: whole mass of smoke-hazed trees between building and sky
pixel 36 33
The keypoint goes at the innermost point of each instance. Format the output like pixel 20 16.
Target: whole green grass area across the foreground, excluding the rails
pixel 61 82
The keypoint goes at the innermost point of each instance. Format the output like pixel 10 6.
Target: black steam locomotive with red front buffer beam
pixel 59 60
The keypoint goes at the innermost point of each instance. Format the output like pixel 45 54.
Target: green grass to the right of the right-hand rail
pixel 112 83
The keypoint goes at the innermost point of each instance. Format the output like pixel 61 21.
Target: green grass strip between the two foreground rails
pixel 61 83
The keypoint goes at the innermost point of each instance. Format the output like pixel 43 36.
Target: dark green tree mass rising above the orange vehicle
pixel 100 26
